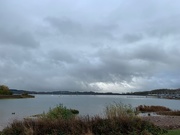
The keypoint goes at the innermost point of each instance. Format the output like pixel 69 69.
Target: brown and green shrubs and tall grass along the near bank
pixel 119 119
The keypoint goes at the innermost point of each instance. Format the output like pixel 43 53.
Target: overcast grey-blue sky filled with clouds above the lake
pixel 90 45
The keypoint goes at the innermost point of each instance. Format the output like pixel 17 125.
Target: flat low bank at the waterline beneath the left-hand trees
pixel 16 96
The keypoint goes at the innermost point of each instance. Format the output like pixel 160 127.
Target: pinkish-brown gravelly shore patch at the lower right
pixel 168 122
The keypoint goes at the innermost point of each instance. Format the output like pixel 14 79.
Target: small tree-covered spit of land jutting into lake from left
pixel 6 93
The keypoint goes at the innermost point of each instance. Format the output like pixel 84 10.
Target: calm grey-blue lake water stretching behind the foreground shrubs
pixel 86 104
